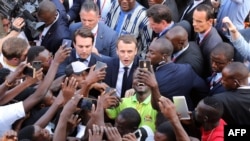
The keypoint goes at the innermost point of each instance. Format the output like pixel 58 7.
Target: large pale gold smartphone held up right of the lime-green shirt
pixel 181 107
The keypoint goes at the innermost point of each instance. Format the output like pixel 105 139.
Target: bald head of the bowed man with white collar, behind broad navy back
pixel 178 36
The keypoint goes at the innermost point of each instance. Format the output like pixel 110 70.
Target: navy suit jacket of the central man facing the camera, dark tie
pixel 113 69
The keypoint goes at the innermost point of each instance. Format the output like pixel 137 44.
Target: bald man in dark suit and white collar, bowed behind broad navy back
pixel 185 52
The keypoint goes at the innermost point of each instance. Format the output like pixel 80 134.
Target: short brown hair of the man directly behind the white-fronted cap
pixel 85 33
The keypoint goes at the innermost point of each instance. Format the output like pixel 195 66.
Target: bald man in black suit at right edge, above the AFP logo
pixel 236 99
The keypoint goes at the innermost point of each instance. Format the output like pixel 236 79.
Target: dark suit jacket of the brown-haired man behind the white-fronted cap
pixel 72 58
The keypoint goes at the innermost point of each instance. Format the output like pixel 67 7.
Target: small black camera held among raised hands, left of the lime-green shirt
pixel 86 103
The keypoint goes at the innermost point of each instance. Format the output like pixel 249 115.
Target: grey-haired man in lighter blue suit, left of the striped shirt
pixel 105 37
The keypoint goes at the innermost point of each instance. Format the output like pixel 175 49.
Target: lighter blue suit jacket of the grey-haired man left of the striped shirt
pixel 105 40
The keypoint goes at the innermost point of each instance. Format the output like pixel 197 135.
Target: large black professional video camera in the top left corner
pixel 25 9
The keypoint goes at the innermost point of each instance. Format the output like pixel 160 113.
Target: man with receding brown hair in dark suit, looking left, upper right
pixel 207 35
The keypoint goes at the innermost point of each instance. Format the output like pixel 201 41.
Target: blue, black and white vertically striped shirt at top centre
pixel 134 22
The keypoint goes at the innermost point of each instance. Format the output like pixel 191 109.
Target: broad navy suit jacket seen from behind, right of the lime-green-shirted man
pixel 180 80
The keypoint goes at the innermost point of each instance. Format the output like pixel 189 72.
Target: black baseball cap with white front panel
pixel 76 67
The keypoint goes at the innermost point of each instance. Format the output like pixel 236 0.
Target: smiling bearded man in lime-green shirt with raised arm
pixel 141 101
